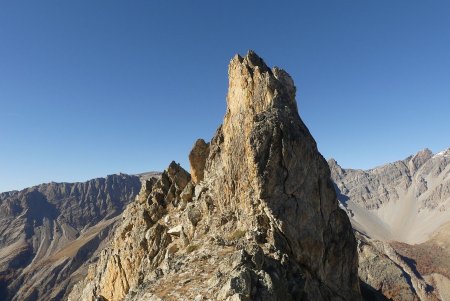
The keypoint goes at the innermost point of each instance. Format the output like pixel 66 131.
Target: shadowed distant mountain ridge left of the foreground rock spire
pixel 50 232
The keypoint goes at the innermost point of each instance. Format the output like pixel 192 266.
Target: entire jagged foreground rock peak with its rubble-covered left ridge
pixel 258 221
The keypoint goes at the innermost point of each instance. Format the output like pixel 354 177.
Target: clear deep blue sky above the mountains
pixel 90 88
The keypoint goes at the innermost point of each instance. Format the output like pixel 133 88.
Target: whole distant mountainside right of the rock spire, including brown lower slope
pixel 401 214
